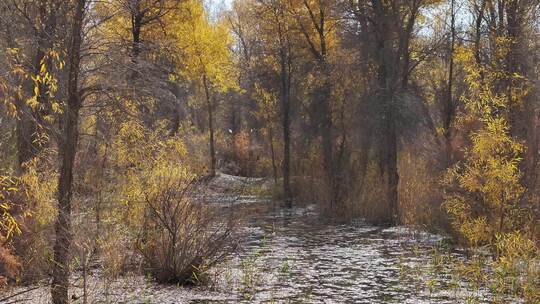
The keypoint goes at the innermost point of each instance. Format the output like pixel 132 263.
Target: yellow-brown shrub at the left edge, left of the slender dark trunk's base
pixel 26 213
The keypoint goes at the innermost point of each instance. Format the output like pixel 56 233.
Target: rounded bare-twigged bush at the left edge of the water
pixel 182 237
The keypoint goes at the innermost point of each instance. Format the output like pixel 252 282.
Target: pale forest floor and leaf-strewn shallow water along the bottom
pixel 287 256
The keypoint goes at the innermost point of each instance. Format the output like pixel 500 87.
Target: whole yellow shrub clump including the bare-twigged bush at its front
pixel 152 218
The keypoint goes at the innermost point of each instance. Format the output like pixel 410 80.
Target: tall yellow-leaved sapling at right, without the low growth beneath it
pixel 484 190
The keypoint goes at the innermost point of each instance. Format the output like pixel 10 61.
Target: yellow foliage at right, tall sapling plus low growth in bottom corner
pixel 484 194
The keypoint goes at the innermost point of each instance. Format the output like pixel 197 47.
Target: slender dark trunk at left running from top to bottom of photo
pixel 68 149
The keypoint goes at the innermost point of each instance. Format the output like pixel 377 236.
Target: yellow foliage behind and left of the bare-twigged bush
pixel 143 158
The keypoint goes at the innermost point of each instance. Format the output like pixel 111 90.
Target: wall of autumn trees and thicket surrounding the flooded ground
pixel 417 112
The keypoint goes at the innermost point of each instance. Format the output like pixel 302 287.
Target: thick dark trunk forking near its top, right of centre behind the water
pixel 392 22
